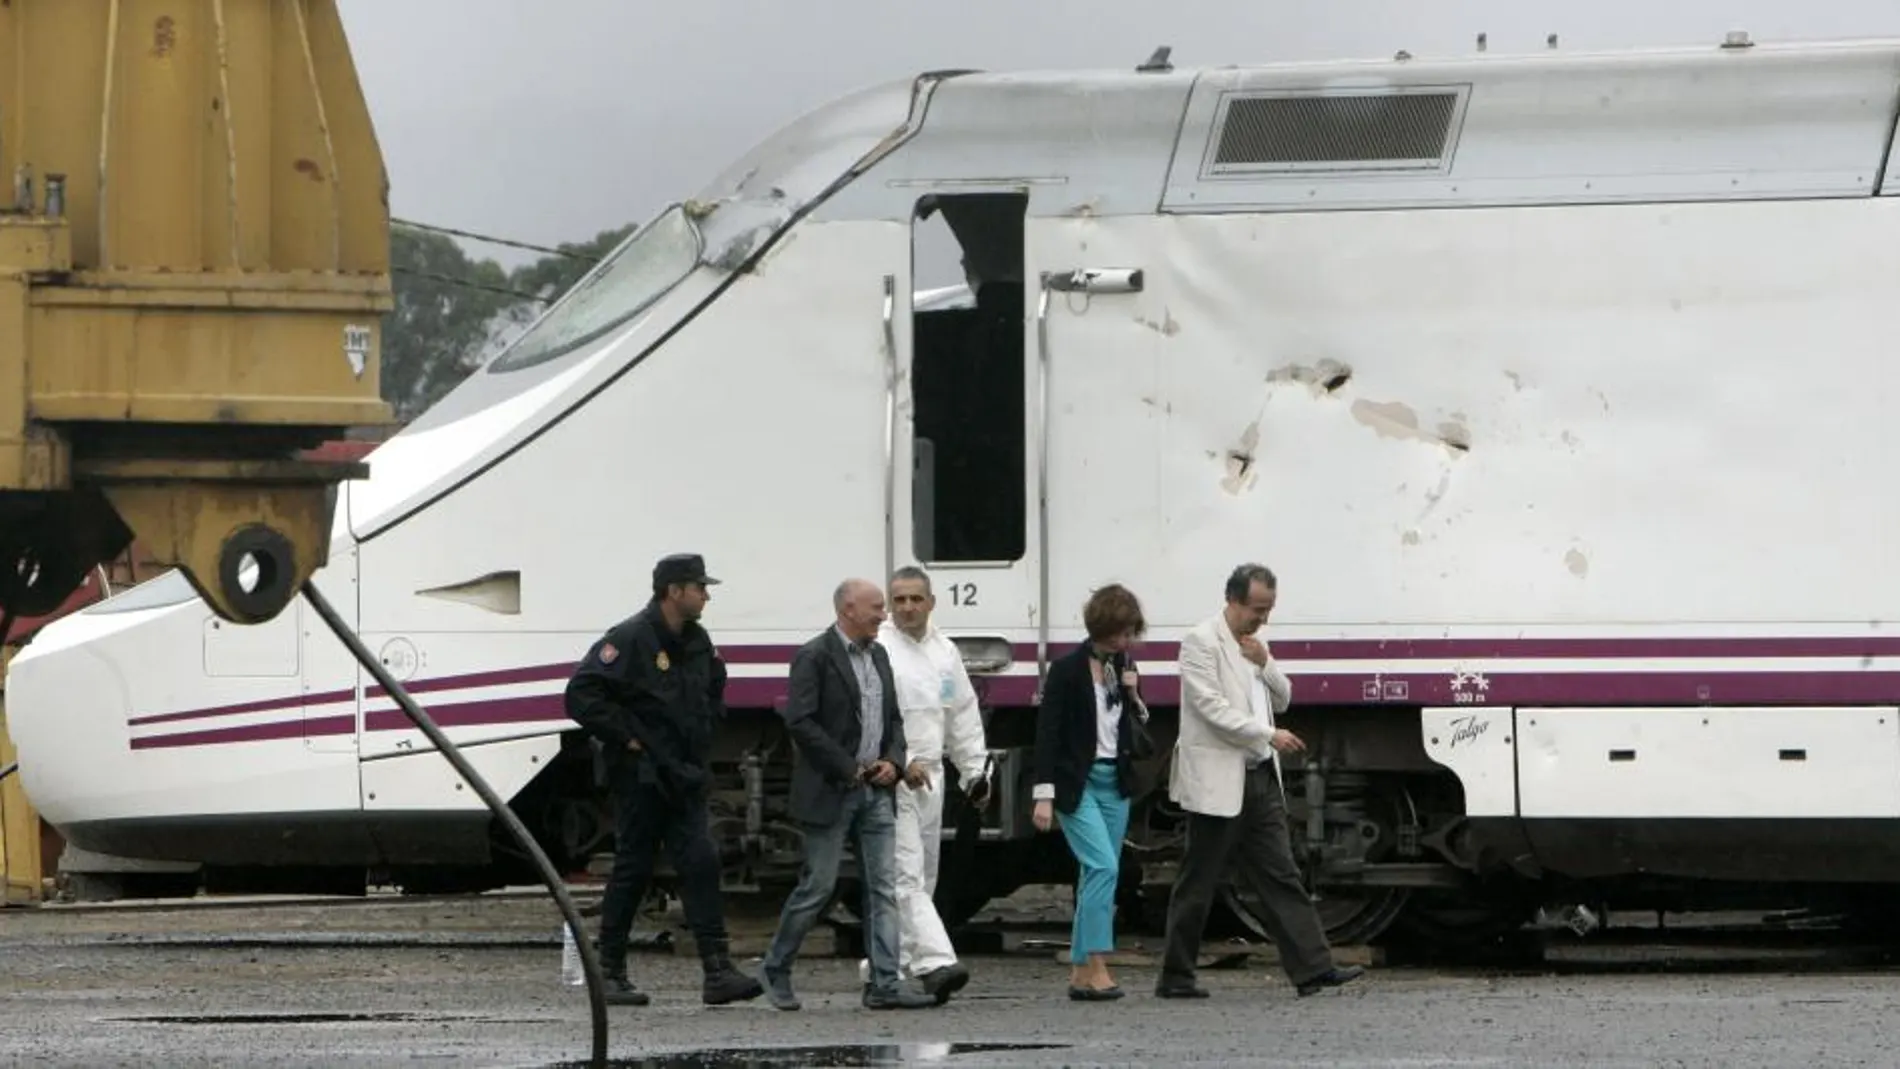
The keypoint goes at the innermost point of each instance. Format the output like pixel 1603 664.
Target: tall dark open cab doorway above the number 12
pixel 968 483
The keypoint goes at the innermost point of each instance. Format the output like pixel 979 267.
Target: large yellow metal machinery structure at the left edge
pixel 195 265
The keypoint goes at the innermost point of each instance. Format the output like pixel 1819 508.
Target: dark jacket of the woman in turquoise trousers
pixel 1065 728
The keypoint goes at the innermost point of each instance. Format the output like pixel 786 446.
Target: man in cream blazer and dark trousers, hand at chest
pixel 1226 778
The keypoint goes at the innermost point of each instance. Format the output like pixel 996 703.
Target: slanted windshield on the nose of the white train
pixel 637 274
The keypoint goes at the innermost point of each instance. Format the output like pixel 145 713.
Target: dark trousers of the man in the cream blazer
pixel 1261 844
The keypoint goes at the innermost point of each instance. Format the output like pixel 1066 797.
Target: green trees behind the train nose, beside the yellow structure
pixel 453 312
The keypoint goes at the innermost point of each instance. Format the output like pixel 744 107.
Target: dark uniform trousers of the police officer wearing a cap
pixel 643 821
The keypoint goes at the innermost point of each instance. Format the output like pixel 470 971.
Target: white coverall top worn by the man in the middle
pixel 936 700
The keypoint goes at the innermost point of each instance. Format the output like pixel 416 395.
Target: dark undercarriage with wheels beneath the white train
pixel 1378 829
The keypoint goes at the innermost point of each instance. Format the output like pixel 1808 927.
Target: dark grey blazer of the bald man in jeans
pixel 822 715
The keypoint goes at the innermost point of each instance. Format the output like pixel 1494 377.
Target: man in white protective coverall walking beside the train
pixel 941 721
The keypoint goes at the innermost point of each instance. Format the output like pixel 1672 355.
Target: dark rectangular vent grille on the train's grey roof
pixel 1337 132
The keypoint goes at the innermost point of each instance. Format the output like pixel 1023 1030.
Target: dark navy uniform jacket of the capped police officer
pixel 639 681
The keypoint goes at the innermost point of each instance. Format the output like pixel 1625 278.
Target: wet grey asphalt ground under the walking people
pixel 478 983
